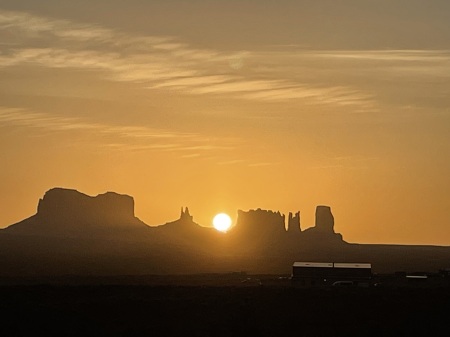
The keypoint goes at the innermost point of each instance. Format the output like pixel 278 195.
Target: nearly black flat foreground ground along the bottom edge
pixel 240 309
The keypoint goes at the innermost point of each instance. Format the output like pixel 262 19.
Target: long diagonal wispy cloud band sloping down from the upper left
pixel 160 62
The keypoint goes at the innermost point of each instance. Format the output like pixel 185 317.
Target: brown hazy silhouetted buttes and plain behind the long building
pixel 75 234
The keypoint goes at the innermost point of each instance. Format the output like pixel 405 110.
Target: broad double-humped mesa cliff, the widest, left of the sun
pixel 68 206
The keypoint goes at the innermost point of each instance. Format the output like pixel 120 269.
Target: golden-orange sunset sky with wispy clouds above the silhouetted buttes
pixel 224 105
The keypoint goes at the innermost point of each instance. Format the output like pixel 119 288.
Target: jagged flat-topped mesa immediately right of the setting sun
pixel 259 221
